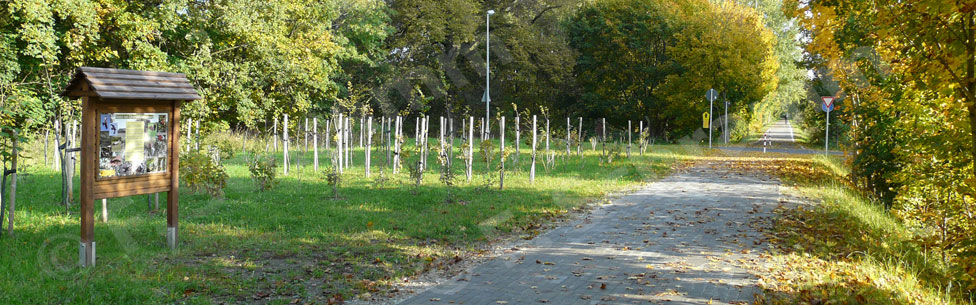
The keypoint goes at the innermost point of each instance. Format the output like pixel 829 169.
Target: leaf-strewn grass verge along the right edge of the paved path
pixel 832 245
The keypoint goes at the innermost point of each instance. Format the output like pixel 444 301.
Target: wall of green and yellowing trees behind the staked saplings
pixel 256 60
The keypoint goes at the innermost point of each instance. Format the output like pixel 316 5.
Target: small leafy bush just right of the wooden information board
pixel 199 172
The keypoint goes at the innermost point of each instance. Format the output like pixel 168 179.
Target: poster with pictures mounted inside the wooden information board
pixel 132 144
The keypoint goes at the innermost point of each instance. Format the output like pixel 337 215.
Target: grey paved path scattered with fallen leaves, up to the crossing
pixel 686 239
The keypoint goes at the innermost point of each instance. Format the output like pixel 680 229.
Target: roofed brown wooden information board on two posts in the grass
pixel 129 140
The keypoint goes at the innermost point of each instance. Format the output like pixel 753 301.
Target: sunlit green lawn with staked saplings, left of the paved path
pixel 294 242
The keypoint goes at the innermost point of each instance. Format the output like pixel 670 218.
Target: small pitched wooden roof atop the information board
pixel 107 83
